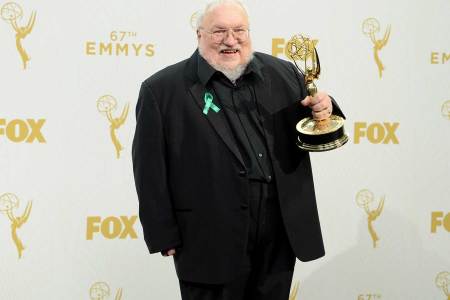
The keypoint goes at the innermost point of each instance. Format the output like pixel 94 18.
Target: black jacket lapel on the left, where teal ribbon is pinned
pixel 217 120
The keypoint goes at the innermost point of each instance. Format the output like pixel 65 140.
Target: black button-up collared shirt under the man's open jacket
pixel 240 106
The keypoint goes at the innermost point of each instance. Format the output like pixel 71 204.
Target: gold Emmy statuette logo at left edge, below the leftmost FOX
pixel 8 202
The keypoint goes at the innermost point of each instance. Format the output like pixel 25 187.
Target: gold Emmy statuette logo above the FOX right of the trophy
pixel 370 27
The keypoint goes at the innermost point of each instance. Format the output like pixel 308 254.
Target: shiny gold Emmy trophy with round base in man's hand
pixel 314 135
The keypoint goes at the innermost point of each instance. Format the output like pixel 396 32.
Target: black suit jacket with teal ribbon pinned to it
pixel 191 179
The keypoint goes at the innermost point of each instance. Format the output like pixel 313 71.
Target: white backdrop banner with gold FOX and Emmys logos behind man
pixel 70 75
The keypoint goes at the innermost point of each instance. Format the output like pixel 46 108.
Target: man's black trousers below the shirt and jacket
pixel 269 264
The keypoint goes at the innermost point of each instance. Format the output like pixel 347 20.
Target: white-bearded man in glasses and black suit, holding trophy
pixel 222 186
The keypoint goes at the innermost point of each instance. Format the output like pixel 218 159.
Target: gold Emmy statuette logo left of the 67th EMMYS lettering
pixel 11 12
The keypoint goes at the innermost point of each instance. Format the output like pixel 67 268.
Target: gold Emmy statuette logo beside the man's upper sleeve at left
pixel 106 105
